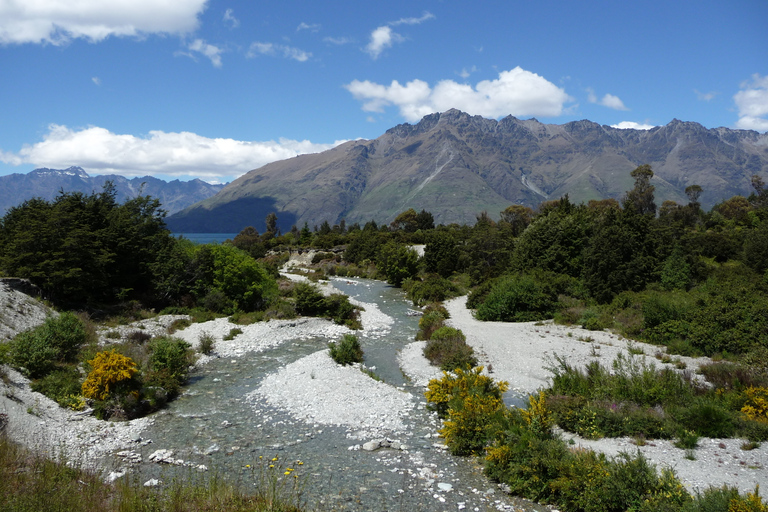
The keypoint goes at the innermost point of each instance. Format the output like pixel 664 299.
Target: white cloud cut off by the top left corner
pixel 59 21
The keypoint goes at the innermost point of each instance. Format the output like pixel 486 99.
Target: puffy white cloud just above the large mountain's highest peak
pixel 517 92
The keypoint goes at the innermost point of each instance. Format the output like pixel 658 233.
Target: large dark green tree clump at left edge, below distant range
pixel 85 248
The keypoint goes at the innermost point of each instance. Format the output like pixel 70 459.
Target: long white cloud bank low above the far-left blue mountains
pixel 100 151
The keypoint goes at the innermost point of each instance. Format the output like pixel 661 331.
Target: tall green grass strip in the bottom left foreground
pixel 30 482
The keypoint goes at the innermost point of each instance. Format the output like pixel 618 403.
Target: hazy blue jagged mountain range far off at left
pixel 46 183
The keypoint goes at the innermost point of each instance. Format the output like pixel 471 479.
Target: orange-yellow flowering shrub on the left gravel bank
pixel 111 374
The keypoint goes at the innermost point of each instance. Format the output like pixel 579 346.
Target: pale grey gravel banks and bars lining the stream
pixel 314 390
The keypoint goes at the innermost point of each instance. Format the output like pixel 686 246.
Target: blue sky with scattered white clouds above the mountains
pixel 213 89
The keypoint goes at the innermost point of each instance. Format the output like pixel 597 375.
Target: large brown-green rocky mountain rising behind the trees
pixel 455 165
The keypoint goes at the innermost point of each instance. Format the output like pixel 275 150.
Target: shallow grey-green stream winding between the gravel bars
pixel 214 424
